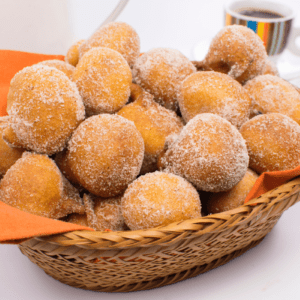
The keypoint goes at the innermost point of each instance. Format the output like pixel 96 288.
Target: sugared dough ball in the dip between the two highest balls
pixel 160 72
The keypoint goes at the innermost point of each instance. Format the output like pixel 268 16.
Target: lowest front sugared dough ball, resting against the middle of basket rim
pixel 158 199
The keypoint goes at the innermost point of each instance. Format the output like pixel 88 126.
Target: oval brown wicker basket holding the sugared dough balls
pixel 139 260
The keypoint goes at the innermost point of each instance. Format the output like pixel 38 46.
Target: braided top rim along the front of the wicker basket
pixel 182 229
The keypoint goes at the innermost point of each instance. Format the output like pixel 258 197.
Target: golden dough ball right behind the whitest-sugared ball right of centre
pixel 213 92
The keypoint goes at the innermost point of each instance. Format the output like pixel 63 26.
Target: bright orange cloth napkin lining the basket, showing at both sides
pixel 16 225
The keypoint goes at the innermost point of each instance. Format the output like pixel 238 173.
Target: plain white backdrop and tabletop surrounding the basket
pixel 270 270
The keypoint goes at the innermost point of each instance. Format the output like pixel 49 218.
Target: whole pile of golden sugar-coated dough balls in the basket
pixel 115 139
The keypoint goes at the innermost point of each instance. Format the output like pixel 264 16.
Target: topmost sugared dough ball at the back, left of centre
pixel 118 36
